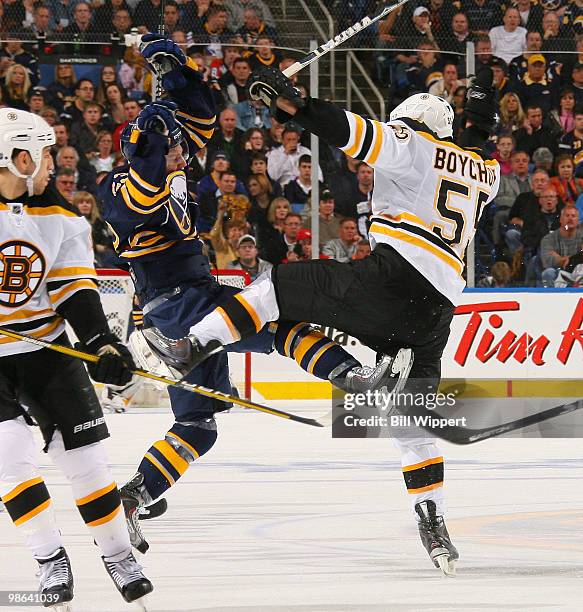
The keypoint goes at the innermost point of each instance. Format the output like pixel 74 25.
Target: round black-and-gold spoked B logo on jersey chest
pixel 22 267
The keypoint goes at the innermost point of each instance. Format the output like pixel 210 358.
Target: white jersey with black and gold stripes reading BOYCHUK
pixel 428 196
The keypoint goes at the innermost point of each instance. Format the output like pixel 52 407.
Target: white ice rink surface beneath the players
pixel 280 517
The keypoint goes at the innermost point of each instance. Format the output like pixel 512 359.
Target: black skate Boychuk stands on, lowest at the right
pixel 435 538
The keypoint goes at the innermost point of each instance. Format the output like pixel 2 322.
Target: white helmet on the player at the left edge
pixel 23 130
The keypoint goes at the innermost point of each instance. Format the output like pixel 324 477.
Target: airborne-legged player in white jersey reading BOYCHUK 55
pixel 402 296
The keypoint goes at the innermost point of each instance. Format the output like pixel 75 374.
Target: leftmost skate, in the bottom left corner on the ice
pixel 56 581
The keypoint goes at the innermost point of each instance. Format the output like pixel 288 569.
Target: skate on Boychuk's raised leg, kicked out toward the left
pixel 182 354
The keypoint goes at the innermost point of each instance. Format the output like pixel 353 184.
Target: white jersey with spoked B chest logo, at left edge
pixel 45 257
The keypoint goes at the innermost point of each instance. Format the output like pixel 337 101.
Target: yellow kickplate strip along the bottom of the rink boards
pixel 464 388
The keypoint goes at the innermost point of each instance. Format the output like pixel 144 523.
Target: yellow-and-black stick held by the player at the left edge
pixel 218 395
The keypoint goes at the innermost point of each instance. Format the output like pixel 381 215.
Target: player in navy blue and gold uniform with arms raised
pixel 147 206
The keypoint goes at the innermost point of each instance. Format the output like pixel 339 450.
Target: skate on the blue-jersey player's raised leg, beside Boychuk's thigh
pixel 389 375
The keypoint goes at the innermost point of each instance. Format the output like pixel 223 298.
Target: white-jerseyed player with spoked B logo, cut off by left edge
pixel 47 278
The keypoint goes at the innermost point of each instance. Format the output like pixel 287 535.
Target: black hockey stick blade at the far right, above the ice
pixel 464 435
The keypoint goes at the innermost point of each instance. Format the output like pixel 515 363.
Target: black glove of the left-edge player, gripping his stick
pixel 115 361
